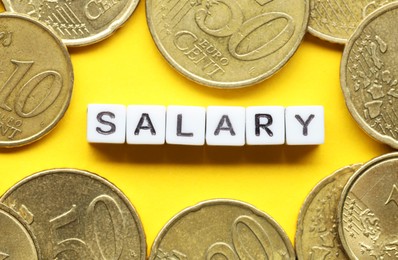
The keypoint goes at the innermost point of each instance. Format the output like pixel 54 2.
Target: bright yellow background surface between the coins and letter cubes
pixel 162 180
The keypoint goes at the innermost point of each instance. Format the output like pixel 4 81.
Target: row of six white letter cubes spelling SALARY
pixel 214 125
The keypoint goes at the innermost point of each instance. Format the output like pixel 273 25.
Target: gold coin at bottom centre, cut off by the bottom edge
pixel 222 229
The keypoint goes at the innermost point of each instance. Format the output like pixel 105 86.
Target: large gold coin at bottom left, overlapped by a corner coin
pixel 78 215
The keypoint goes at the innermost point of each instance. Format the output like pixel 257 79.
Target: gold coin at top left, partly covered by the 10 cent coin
pixel 77 23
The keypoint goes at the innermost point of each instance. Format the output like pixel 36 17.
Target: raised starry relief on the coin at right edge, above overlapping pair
pixel 374 83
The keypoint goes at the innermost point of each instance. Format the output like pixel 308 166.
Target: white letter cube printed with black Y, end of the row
pixel 305 125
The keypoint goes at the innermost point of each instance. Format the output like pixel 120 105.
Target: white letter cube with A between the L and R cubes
pixel 225 125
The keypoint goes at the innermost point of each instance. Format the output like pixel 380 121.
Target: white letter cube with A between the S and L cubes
pixel 146 124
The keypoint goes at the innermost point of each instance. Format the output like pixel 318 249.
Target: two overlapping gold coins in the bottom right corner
pixel 352 214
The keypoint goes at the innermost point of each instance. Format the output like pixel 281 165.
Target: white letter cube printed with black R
pixel 265 125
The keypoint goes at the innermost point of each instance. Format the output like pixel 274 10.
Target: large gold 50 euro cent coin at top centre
pixel 227 44
